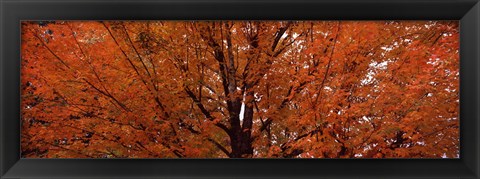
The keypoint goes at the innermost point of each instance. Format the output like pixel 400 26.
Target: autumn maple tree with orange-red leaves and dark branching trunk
pixel 240 89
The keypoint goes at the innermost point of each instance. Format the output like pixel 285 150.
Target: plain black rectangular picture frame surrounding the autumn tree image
pixel 13 11
